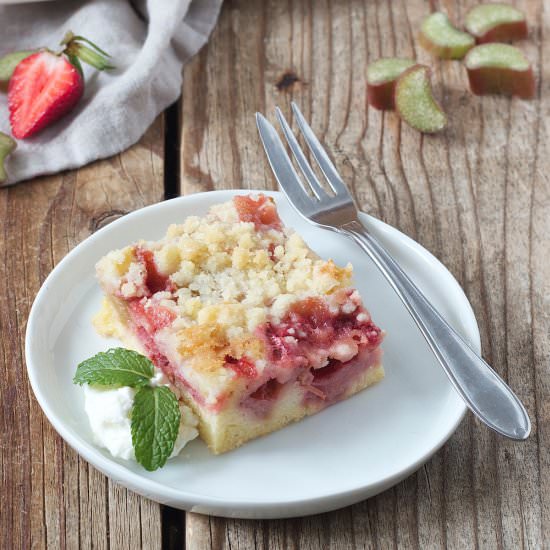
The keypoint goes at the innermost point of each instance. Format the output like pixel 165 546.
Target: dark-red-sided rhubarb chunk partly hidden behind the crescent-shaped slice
pixel 381 77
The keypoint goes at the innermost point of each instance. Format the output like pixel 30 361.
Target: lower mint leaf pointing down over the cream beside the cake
pixel 155 424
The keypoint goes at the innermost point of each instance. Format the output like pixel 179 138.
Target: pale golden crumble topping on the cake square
pixel 217 269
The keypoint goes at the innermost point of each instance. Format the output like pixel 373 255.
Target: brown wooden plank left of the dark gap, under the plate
pixel 51 498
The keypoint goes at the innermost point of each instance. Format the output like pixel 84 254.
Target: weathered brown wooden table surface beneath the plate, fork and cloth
pixel 477 196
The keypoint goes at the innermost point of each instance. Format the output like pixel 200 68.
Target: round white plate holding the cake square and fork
pixel 348 452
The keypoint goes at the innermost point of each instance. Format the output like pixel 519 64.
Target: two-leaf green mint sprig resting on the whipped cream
pixel 155 415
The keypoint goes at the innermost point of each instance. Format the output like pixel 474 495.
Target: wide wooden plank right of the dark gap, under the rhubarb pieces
pixel 477 196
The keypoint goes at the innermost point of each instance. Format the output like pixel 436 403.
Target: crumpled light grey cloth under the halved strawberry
pixel 149 42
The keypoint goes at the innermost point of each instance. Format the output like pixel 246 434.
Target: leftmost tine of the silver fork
pixel 282 167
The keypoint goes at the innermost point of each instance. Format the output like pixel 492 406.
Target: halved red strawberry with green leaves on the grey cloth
pixel 46 85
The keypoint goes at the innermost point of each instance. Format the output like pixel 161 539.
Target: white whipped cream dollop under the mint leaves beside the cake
pixel 109 410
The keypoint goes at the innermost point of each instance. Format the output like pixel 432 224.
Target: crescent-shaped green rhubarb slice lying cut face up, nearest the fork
pixel 415 102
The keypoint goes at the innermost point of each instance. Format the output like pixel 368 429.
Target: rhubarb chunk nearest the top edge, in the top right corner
pixel 496 23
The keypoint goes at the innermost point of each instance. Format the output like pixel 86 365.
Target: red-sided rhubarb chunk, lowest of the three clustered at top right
pixel 500 69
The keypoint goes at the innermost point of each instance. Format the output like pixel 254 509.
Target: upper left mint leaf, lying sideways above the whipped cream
pixel 115 368
